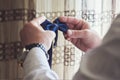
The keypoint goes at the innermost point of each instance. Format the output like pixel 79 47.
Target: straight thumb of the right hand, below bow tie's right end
pixel 78 33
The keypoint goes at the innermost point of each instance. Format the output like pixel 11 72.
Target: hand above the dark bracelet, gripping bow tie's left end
pixel 32 32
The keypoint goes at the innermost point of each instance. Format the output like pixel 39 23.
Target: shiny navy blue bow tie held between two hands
pixel 55 26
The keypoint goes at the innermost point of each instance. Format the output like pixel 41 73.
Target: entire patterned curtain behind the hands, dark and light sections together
pixel 66 57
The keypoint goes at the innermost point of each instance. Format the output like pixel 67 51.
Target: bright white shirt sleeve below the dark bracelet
pixel 36 66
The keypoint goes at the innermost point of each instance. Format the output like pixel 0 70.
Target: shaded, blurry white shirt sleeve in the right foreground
pixel 103 63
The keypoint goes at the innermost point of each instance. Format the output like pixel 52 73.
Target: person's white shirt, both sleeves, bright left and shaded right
pixel 103 63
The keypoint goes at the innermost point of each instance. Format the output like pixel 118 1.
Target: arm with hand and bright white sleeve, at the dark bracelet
pixel 36 66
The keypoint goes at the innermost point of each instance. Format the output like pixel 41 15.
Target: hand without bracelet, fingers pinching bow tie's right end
pixel 80 34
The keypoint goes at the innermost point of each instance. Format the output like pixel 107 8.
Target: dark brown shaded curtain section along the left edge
pixel 13 14
